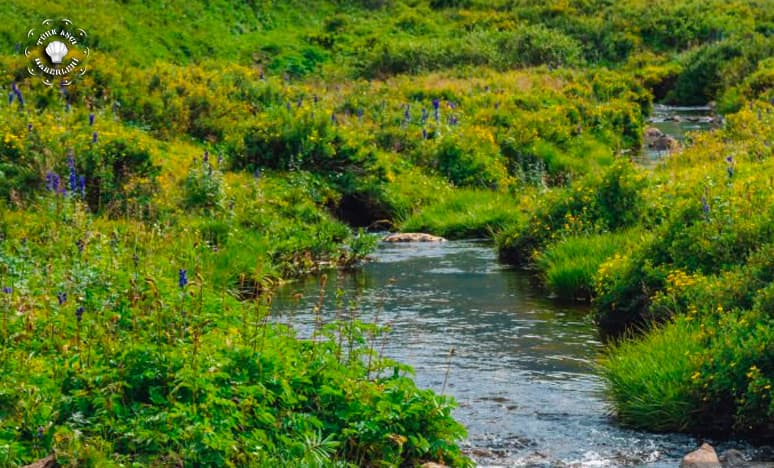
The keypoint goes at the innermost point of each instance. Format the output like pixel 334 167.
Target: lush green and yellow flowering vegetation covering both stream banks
pixel 214 149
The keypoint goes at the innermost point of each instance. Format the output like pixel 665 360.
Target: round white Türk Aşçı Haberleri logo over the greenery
pixel 57 52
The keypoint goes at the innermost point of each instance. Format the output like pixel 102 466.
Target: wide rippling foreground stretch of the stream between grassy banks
pixel 523 367
